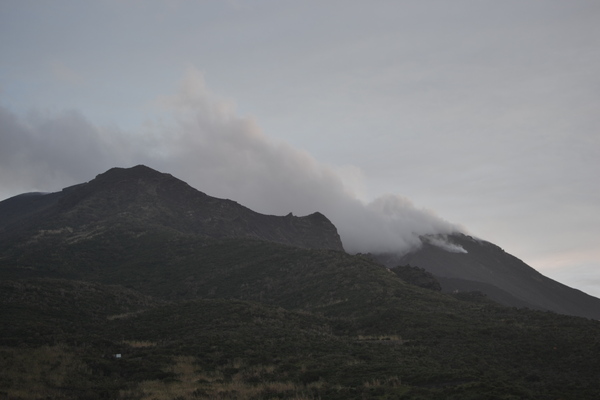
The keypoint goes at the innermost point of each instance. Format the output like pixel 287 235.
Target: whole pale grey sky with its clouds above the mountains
pixel 419 115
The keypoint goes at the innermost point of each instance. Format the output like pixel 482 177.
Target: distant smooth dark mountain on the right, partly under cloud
pixel 484 267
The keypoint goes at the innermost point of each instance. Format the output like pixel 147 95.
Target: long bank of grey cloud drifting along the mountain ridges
pixel 200 139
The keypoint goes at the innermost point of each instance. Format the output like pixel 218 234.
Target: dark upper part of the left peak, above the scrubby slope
pixel 140 199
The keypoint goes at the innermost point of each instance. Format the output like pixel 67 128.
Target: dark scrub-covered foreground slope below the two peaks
pixel 136 310
